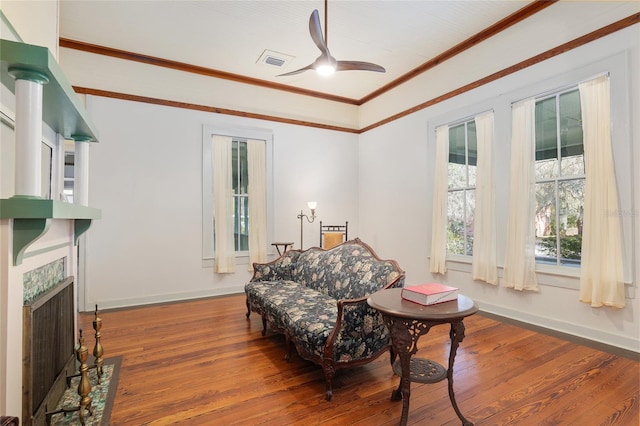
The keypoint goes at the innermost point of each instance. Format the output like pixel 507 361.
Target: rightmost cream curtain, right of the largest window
pixel 601 270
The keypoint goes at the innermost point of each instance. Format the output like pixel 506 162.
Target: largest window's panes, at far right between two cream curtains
pixel 560 179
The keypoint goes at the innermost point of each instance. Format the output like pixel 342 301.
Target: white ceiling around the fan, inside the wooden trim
pixel 231 36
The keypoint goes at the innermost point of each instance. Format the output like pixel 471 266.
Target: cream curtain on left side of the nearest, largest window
pixel 520 261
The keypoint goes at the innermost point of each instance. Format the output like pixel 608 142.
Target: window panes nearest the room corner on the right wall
pixel 461 174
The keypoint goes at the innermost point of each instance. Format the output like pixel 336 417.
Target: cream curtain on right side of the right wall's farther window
pixel 484 265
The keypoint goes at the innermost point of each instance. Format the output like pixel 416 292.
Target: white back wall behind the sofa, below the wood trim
pixel 146 177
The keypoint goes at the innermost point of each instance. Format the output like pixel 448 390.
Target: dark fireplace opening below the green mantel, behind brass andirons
pixel 48 350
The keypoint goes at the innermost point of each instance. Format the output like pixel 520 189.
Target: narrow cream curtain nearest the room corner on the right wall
pixel 439 219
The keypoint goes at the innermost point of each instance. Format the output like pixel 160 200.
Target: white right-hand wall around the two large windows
pixel 396 168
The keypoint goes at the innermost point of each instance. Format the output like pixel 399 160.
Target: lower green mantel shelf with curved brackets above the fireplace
pixel 32 217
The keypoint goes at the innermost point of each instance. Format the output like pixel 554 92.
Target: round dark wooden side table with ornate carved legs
pixel 407 321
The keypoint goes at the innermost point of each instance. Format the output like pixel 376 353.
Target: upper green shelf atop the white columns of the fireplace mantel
pixel 61 109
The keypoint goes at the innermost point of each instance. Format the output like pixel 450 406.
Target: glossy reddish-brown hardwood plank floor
pixel 203 363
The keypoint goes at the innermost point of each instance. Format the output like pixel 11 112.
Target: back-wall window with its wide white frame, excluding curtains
pixel 240 170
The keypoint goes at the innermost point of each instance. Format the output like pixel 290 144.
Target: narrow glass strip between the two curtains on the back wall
pixel 240 178
